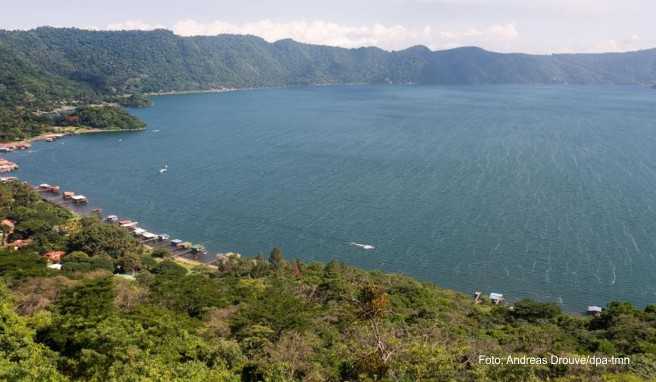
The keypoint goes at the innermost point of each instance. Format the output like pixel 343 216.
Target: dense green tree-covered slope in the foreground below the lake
pixel 256 319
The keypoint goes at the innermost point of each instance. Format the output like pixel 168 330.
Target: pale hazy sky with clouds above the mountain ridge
pixel 534 26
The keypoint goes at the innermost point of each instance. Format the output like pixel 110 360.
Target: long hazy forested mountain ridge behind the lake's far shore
pixel 53 62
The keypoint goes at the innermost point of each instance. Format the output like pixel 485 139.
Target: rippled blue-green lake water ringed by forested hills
pixel 543 192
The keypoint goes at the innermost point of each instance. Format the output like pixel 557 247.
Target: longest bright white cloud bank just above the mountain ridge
pixel 384 36
